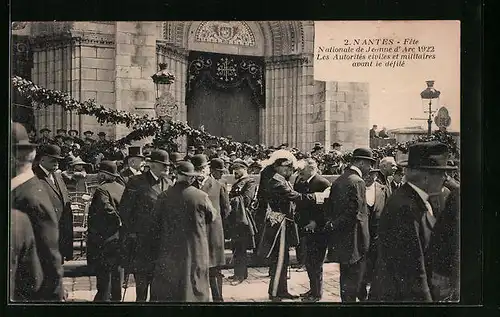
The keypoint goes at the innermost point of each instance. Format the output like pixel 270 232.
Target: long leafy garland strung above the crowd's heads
pixel 166 133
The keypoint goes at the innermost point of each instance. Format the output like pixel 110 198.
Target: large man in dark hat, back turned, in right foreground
pixel 403 268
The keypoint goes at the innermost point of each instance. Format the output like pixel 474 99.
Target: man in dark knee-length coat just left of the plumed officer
pixel 241 224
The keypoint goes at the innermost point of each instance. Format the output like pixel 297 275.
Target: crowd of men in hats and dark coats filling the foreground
pixel 164 217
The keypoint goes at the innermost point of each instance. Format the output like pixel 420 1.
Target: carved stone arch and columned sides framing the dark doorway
pixel 287 47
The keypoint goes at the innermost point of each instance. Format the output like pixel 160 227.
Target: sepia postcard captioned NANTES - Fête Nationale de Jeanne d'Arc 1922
pixel 235 161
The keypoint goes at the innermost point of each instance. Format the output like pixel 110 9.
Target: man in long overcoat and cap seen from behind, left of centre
pixel 181 250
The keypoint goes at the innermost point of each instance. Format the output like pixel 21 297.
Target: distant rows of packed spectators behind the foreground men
pixel 92 151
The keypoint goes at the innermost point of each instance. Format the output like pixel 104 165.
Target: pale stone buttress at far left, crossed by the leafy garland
pixel 76 58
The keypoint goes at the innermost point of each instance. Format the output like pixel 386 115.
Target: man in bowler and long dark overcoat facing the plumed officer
pixel 347 223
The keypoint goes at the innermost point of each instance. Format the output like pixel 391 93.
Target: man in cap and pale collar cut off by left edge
pixel 29 197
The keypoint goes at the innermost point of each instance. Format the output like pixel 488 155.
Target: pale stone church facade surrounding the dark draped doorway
pixel 112 62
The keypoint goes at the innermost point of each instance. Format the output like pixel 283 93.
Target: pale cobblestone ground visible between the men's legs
pixel 254 289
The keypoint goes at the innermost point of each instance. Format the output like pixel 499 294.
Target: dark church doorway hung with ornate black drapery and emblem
pixel 224 94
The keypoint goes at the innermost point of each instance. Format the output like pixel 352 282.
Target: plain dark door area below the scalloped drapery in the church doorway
pixel 225 112
